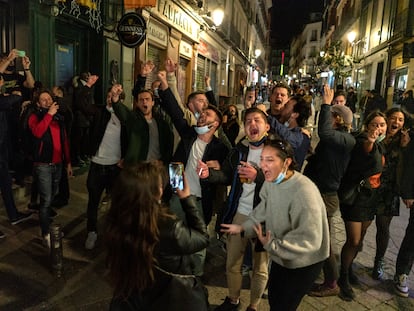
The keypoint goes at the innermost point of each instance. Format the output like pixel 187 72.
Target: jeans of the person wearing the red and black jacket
pixel 47 176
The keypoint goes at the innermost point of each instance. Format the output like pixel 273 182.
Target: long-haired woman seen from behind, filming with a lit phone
pixel 149 247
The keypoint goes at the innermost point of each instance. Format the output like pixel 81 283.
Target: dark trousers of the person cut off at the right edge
pixel 405 256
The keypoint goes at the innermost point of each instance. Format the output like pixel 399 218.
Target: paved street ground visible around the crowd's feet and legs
pixel 27 283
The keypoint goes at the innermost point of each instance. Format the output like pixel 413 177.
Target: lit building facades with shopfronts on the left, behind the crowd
pixel 66 37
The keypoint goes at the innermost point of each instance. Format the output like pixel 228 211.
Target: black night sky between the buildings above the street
pixel 289 16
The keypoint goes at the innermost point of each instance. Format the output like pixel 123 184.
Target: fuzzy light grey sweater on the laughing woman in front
pixel 295 214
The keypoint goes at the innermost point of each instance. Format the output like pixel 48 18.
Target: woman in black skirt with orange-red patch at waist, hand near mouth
pixel 363 175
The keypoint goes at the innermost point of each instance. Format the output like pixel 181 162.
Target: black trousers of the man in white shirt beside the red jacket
pixel 100 177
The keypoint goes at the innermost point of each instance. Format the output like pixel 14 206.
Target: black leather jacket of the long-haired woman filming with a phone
pixel 177 241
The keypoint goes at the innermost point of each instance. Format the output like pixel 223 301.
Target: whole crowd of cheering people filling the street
pixel 274 196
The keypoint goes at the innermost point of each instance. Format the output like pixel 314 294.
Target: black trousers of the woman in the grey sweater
pixel 288 286
